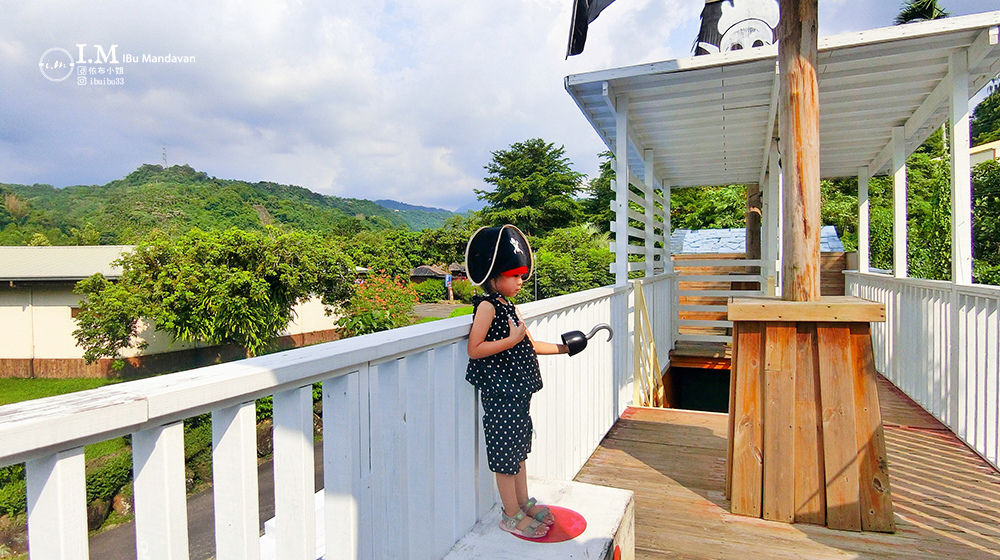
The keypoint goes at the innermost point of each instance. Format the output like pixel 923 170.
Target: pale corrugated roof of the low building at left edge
pixel 59 263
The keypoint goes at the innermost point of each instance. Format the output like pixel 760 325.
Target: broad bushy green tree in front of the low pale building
pixel 231 287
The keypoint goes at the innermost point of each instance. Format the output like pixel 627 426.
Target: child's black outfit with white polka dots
pixel 506 381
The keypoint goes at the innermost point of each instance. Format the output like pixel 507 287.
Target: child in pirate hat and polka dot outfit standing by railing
pixel 504 367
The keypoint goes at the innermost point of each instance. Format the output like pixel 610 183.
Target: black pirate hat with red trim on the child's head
pixel 497 250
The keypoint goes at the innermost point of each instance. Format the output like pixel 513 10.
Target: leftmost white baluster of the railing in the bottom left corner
pixel 57 506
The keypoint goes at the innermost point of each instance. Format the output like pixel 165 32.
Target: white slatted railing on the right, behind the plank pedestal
pixel 940 345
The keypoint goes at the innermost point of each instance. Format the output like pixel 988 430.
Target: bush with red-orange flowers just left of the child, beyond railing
pixel 379 303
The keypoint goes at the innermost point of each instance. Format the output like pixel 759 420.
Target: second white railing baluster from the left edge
pixel 160 492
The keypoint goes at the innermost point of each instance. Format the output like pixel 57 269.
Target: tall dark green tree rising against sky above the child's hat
pixel 533 188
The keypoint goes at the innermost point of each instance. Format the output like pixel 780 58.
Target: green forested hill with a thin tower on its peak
pixel 179 198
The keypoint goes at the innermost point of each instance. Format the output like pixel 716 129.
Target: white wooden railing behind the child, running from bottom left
pixel 405 471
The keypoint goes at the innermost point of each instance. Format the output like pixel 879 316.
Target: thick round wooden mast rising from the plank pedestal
pixel 799 137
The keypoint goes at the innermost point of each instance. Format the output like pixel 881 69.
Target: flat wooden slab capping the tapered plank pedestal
pixel 833 309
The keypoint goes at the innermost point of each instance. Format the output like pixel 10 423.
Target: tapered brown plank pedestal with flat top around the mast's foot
pixel 806 440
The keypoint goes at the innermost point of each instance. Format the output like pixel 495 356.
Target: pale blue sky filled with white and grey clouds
pixel 360 98
